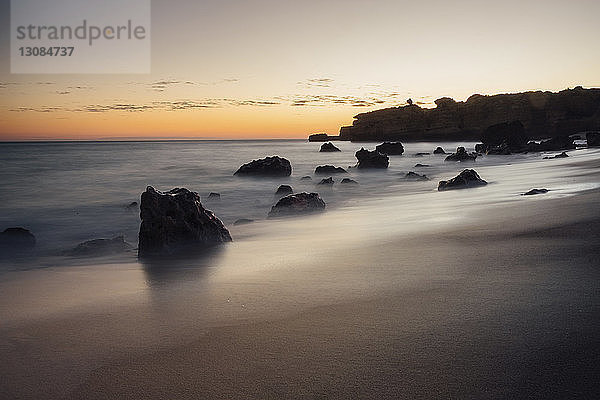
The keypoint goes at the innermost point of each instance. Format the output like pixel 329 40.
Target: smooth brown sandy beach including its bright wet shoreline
pixel 483 293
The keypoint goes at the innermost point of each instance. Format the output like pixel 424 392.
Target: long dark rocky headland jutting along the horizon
pixel 543 114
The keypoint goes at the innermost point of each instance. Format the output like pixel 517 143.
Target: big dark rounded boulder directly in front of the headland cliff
pixel 504 138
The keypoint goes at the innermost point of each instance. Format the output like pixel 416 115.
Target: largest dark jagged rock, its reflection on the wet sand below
pixel 175 220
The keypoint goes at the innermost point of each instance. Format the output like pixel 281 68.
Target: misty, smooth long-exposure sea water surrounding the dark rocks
pixel 66 193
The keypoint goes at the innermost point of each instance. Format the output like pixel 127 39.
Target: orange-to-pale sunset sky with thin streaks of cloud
pixel 286 69
